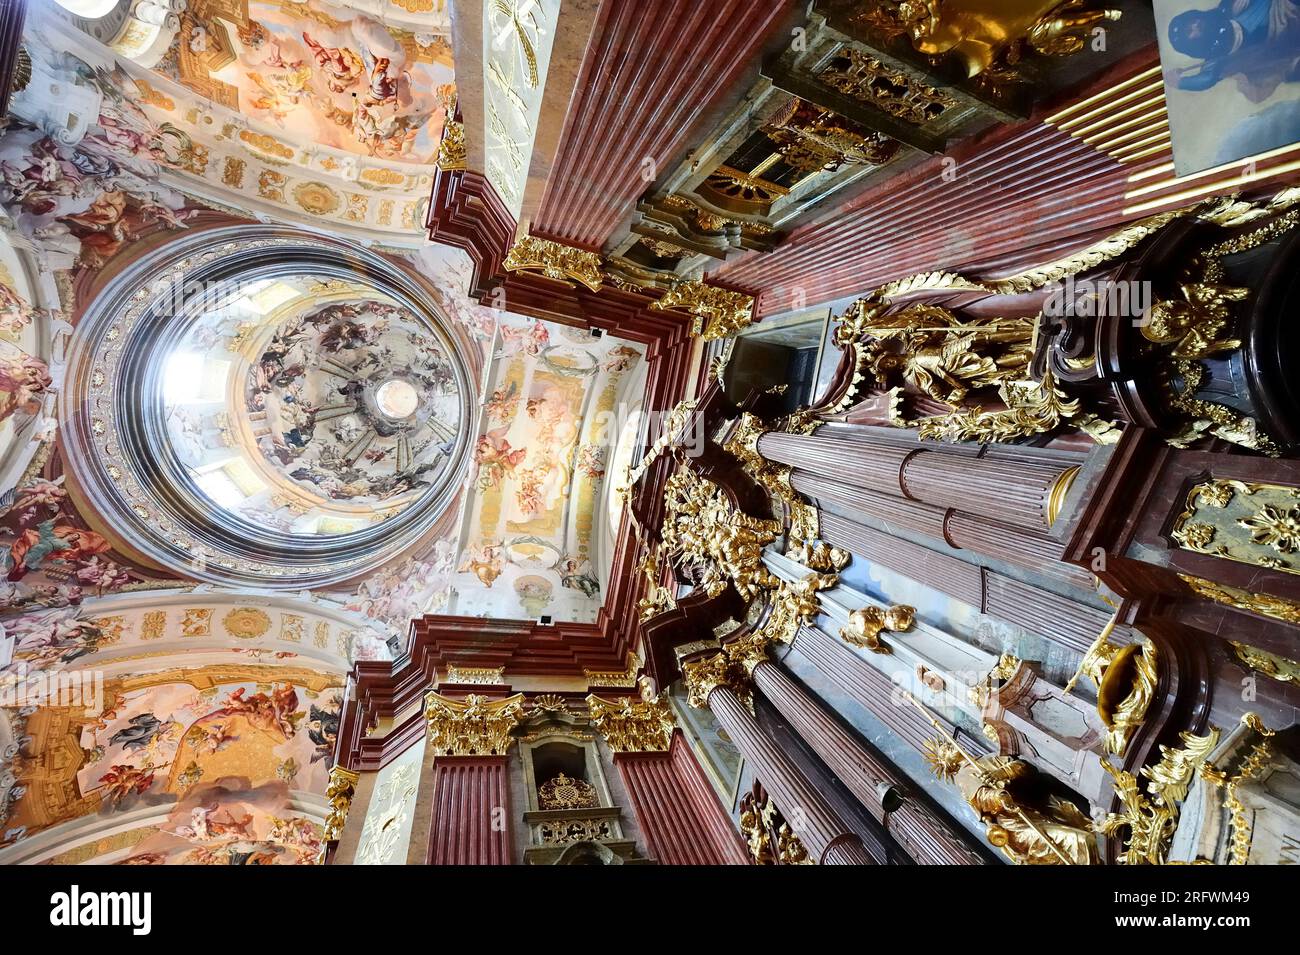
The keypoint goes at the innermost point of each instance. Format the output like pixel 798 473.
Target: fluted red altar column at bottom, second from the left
pixel 924 836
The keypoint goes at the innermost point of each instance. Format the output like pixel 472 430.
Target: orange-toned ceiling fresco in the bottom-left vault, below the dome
pixel 187 743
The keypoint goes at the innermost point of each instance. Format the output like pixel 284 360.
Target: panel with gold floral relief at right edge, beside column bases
pixel 1250 523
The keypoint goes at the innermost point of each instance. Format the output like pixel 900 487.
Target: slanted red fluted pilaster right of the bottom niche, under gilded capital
pixel 679 813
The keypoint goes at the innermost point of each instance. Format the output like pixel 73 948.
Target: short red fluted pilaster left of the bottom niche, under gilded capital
pixel 471 813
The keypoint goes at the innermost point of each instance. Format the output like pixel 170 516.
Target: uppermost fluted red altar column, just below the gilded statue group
pixel 1008 488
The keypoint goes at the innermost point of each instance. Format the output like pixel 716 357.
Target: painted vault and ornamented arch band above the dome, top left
pixel 141 142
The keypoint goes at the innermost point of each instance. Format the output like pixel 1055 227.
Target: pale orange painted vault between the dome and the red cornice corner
pixel 535 527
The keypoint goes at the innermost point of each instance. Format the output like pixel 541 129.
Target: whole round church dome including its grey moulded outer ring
pixel 263 405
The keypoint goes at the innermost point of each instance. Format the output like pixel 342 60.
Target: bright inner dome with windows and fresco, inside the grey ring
pixel 340 407
